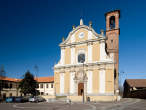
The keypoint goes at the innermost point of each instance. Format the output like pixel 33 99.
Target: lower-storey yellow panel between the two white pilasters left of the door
pixel 67 82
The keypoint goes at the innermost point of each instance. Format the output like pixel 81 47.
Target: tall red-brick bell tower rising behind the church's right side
pixel 112 42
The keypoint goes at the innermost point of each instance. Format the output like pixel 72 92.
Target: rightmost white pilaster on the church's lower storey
pixel 101 81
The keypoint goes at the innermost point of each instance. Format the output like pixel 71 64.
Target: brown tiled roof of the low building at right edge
pixel 136 82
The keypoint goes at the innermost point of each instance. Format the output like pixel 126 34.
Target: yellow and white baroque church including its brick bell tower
pixel 88 67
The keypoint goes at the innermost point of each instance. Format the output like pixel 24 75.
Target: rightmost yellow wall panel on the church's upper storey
pixel 96 51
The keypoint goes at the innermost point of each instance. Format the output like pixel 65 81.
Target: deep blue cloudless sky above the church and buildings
pixel 30 31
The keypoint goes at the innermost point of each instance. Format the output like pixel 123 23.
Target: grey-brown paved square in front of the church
pixel 124 104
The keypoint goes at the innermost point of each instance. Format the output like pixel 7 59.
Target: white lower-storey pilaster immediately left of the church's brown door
pixel 72 84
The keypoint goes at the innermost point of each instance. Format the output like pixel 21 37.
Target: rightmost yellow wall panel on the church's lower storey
pixel 109 81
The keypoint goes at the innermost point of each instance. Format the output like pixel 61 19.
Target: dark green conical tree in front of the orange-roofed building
pixel 28 84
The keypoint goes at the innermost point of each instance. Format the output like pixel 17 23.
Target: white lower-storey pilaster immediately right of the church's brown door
pixel 89 82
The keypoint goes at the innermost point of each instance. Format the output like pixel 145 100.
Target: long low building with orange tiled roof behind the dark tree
pixel 10 87
